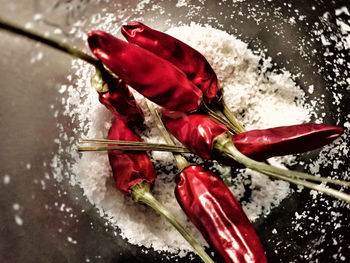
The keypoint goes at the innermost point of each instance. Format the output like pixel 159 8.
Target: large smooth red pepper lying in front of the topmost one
pixel 155 78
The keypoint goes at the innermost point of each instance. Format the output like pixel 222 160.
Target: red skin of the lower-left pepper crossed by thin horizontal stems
pixel 128 167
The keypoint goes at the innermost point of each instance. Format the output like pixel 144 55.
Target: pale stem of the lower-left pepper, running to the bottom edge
pixel 141 194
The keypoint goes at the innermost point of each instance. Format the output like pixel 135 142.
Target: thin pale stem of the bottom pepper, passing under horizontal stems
pixel 180 160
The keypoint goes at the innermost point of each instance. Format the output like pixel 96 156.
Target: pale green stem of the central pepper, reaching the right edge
pixel 224 144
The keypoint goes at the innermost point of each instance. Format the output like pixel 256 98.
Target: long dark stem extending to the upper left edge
pixel 52 43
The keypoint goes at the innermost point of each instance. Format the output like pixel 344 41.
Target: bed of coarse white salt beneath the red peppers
pixel 258 95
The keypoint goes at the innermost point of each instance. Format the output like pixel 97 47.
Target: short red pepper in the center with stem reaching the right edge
pixel 208 140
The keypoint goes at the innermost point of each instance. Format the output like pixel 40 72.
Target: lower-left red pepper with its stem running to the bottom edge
pixel 134 174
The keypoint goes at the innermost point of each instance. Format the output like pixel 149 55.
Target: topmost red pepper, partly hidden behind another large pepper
pixel 189 60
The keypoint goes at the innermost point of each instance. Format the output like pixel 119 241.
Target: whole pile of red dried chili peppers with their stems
pixel 180 79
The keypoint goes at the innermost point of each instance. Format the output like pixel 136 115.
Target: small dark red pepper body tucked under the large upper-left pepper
pixel 121 103
